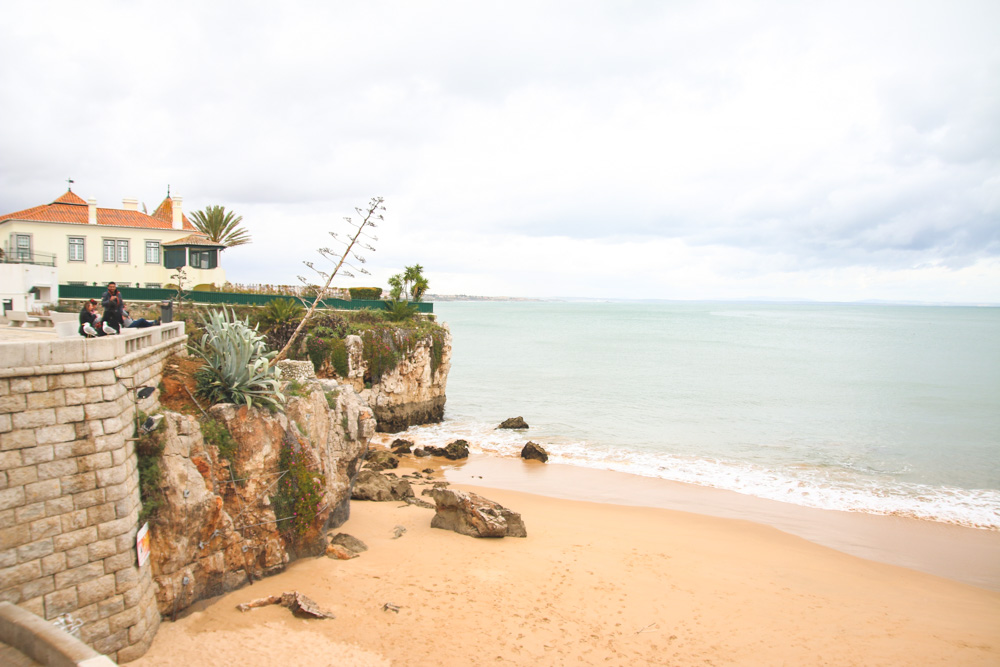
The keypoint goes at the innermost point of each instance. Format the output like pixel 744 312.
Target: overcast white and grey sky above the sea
pixel 833 151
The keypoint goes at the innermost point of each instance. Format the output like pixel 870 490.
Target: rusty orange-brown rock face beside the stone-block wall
pixel 217 524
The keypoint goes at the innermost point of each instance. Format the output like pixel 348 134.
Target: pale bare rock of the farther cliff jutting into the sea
pixel 411 393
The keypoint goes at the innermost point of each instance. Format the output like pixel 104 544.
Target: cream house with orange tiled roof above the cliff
pixel 94 246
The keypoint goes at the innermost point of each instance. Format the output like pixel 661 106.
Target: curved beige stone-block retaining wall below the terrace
pixel 69 483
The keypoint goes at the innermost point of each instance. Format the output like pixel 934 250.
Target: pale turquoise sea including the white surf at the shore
pixel 881 409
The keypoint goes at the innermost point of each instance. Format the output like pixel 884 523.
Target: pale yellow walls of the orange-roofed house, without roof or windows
pixel 53 238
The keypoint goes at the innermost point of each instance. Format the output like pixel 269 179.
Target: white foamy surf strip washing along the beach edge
pixel 836 487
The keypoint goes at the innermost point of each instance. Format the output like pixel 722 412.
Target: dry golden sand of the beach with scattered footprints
pixel 592 584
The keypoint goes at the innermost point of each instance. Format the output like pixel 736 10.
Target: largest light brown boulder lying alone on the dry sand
pixel 471 514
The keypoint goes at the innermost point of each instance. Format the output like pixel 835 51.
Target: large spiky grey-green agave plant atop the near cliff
pixel 236 366
